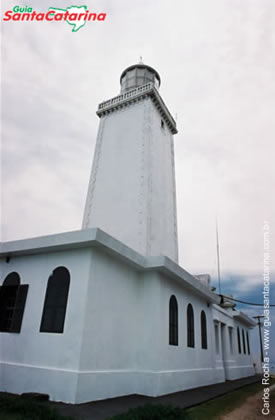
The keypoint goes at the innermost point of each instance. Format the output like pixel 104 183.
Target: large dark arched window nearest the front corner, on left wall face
pixel 55 304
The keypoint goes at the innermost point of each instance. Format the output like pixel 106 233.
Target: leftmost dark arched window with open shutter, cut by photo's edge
pixel 12 303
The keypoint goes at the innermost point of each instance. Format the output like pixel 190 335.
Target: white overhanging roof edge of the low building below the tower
pixel 97 238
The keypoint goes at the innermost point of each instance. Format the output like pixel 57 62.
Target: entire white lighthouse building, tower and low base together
pixel 107 311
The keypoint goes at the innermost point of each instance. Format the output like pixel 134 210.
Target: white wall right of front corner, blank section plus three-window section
pixel 125 347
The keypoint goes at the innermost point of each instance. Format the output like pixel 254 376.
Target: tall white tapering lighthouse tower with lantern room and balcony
pixel 131 193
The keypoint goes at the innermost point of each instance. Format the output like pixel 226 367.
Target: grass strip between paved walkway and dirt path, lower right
pixel 222 405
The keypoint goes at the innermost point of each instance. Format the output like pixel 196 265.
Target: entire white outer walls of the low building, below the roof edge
pixel 116 335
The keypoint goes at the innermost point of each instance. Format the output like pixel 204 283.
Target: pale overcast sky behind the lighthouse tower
pixel 217 64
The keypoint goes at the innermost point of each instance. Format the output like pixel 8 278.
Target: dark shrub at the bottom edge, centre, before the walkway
pixel 154 412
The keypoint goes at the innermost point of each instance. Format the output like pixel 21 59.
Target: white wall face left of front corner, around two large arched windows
pixel 45 362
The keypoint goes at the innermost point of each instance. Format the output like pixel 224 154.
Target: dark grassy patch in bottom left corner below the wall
pixel 16 408
